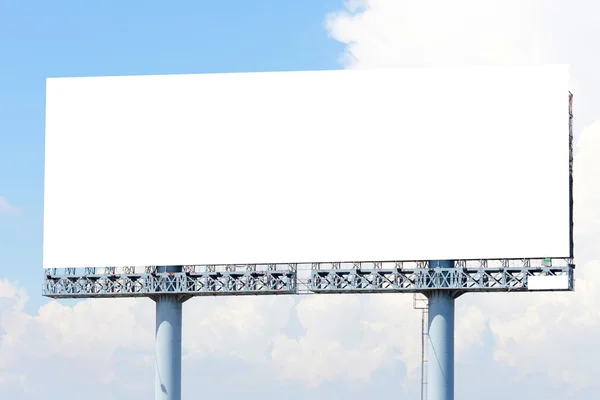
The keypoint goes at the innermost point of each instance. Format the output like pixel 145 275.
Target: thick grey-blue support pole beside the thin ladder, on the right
pixel 440 354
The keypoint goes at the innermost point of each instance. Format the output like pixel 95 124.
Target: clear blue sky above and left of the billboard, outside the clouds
pixel 41 39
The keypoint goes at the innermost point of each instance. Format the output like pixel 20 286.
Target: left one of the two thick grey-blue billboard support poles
pixel 168 341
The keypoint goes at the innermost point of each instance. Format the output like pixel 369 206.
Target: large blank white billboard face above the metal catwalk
pixel 320 166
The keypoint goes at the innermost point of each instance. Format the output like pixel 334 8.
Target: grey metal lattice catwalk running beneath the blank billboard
pixel 273 279
